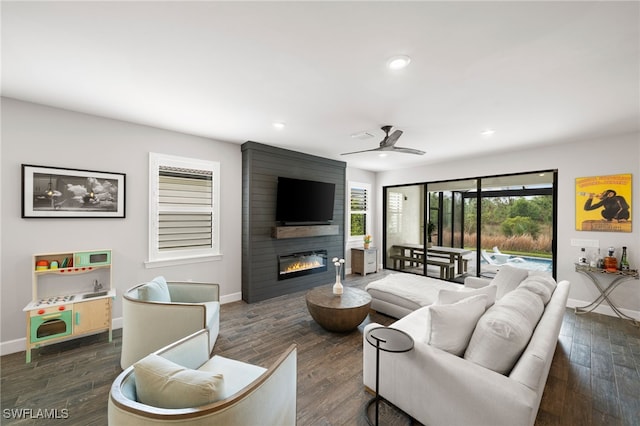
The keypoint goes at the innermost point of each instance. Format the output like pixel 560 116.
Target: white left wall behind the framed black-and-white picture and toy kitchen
pixel 34 134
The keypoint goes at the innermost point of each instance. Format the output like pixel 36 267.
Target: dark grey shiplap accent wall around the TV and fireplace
pixel 261 166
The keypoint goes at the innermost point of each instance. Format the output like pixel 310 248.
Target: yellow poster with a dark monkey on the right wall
pixel 603 203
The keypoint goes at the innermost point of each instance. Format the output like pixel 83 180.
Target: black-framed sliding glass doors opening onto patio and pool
pixel 470 227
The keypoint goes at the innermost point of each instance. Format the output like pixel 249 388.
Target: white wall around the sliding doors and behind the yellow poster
pixel 612 155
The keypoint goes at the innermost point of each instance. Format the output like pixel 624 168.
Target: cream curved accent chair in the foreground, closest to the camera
pixel 253 395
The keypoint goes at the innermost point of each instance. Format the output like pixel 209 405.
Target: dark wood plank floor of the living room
pixel 594 378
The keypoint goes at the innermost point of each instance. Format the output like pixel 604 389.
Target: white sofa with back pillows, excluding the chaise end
pixel 470 366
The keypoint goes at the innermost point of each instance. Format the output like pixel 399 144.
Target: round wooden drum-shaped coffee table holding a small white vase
pixel 338 313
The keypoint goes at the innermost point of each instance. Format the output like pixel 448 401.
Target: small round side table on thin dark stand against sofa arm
pixel 385 339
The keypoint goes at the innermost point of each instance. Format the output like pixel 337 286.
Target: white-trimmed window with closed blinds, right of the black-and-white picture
pixel 184 216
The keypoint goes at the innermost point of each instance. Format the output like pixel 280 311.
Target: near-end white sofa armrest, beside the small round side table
pixel 428 384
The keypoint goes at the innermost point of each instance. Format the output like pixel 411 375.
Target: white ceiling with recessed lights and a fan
pixel 536 72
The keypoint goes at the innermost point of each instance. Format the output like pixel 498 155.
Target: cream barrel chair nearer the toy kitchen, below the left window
pixel 149 325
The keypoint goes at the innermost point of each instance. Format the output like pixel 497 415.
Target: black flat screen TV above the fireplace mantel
pixel 304 201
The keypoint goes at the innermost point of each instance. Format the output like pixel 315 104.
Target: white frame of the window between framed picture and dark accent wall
pixel 157 258
